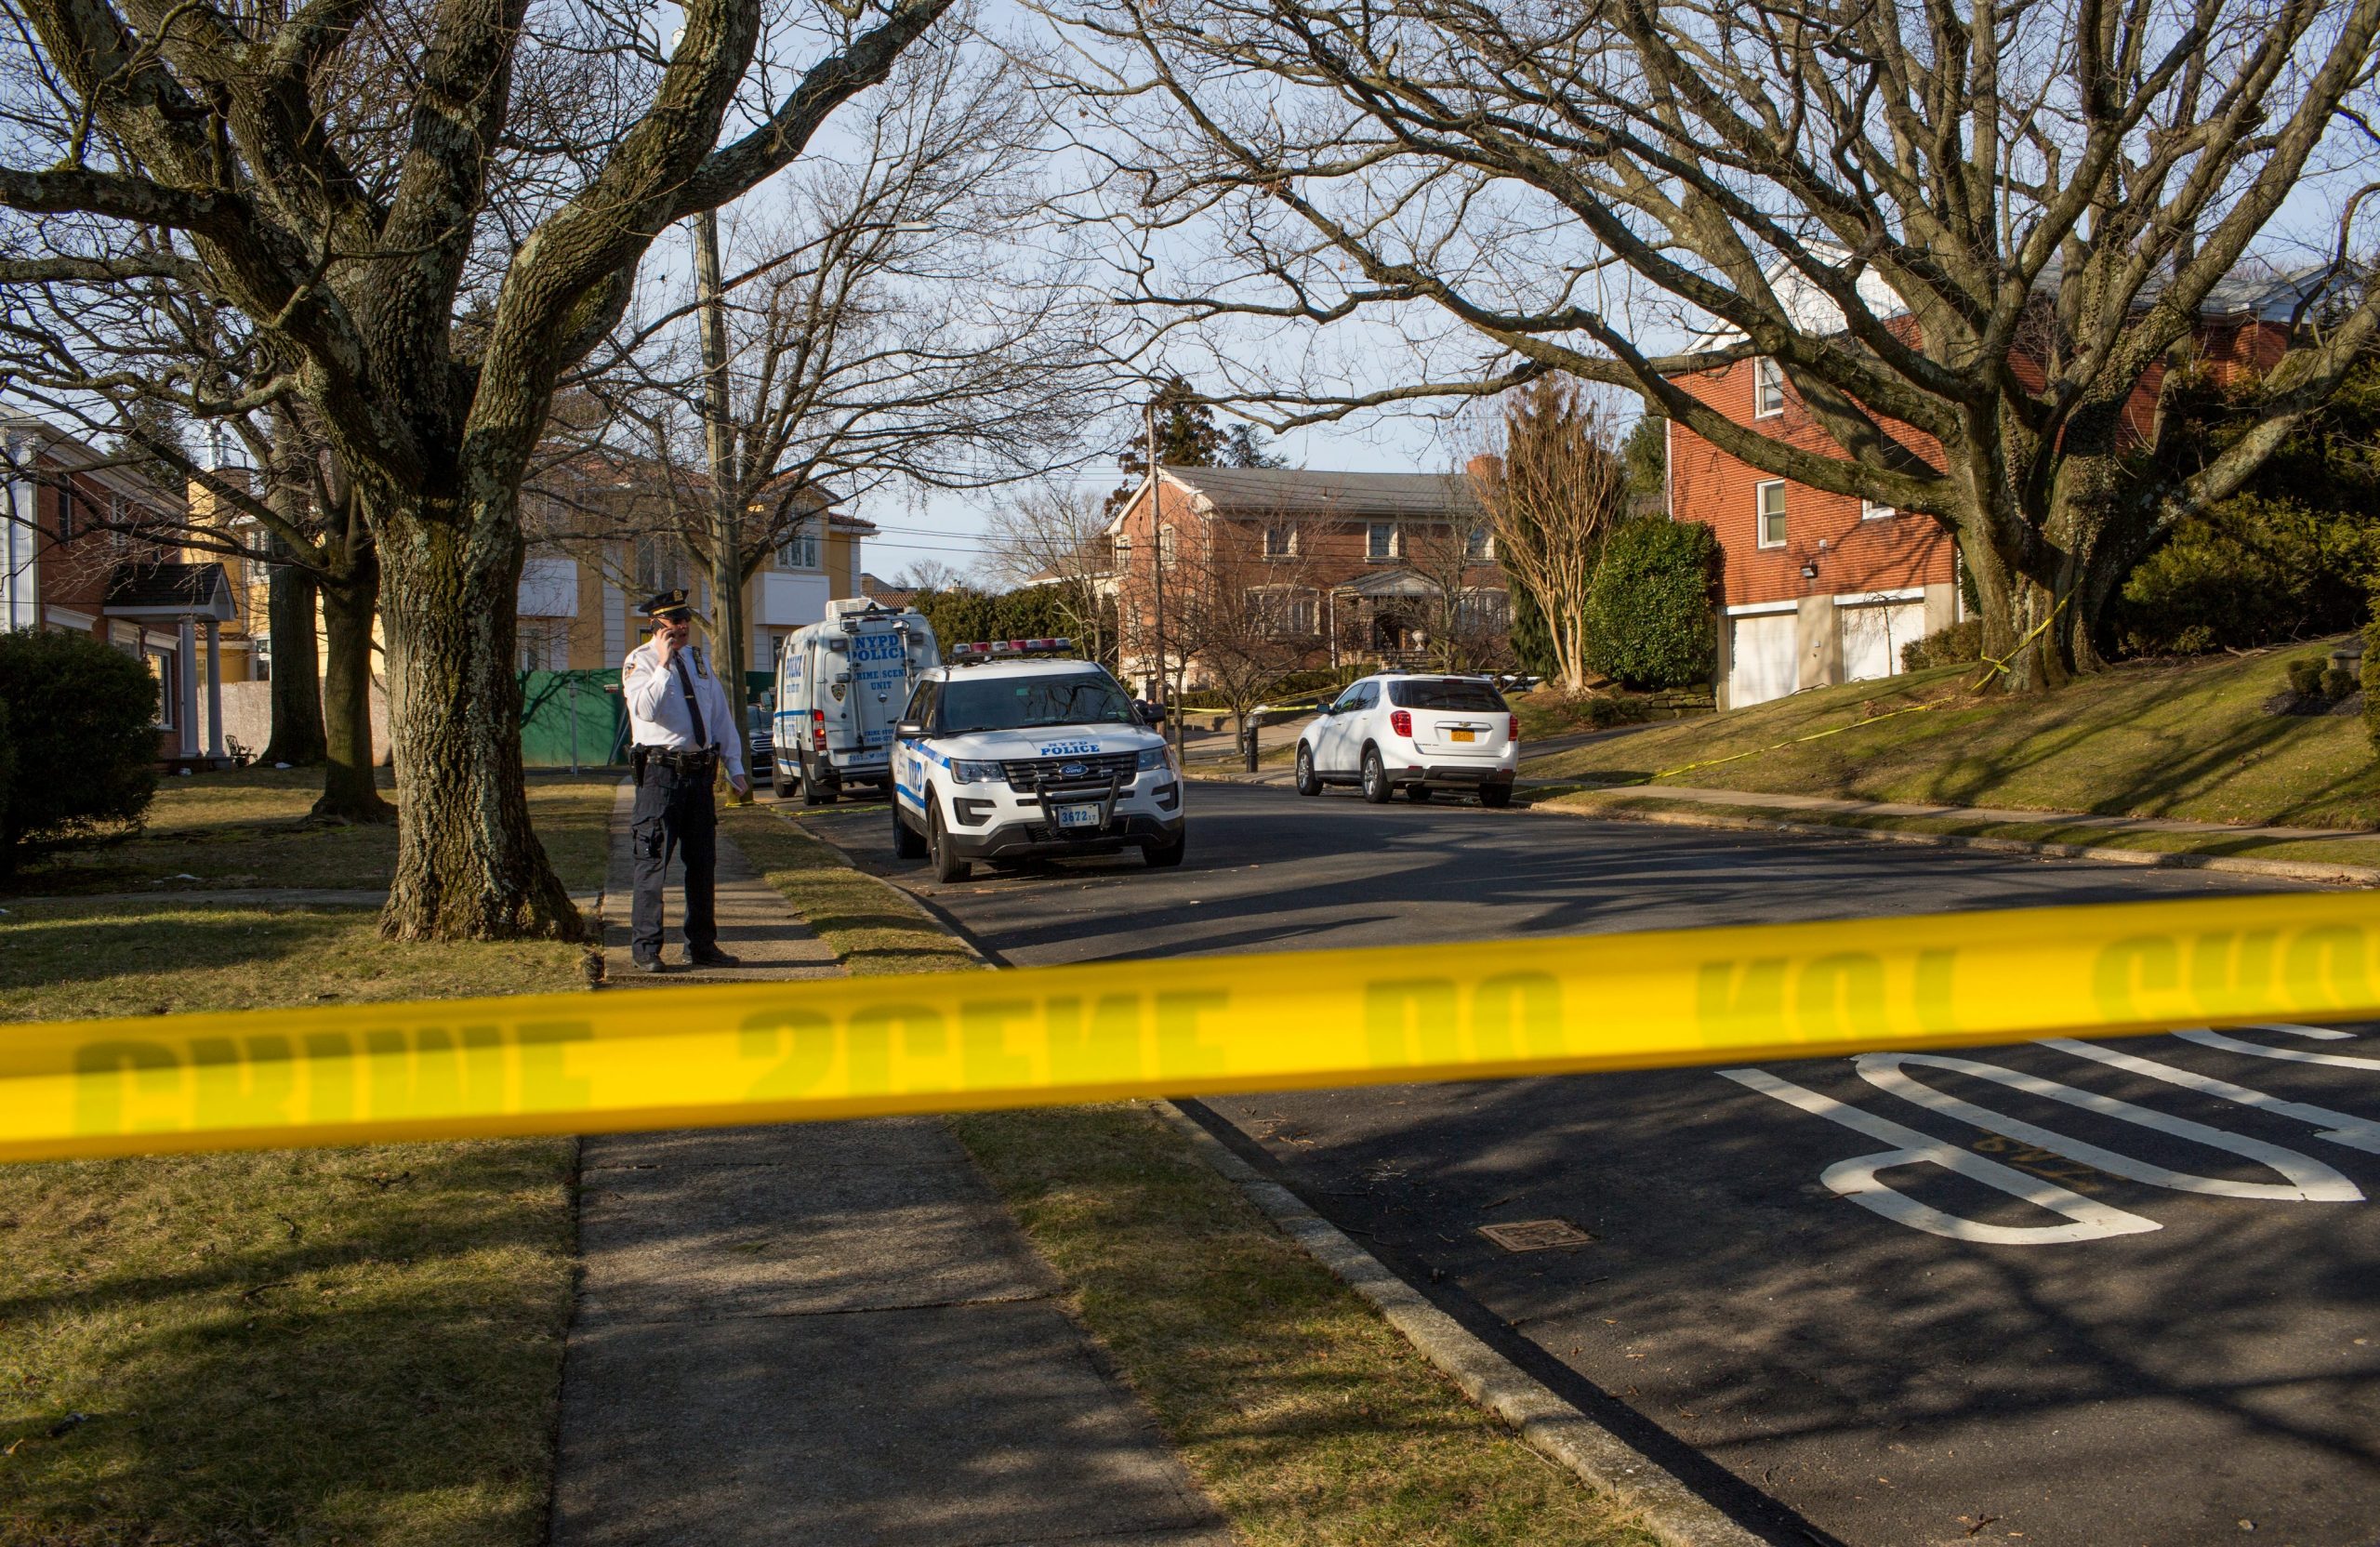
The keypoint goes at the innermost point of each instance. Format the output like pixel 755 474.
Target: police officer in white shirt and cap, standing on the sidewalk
pixel 682 729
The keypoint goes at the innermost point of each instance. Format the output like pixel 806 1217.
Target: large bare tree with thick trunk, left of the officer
pixel 427 211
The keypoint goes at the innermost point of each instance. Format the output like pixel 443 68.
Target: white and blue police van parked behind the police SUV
pixel 841 687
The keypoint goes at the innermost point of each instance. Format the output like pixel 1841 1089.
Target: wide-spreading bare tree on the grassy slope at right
pixel 1967 234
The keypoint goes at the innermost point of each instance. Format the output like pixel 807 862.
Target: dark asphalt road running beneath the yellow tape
pixel 1829 1372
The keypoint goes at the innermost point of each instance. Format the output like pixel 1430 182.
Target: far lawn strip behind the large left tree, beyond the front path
pixel 251 829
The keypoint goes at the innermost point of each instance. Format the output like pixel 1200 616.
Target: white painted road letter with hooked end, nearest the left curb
pixel 1858 1177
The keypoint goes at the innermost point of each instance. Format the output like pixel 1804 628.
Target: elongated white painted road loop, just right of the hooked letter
pixel 2307 1177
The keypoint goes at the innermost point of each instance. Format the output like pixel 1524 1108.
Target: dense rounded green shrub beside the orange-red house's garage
pixel 1651 620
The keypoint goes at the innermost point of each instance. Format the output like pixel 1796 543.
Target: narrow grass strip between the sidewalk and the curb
pixel 1301 1413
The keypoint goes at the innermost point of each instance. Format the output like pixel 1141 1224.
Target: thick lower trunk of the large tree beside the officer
pixel 470 868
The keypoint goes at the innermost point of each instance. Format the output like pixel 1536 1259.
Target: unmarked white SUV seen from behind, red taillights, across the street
pixel 1417 734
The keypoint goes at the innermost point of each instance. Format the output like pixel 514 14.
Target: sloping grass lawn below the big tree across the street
pixel 2153 739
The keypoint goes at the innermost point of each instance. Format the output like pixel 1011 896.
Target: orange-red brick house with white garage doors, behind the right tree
pixel 1827 589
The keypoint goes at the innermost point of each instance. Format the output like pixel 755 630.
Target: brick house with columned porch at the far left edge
pixel 77 556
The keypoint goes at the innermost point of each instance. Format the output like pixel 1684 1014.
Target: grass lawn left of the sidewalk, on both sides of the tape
pixel 284 1348
